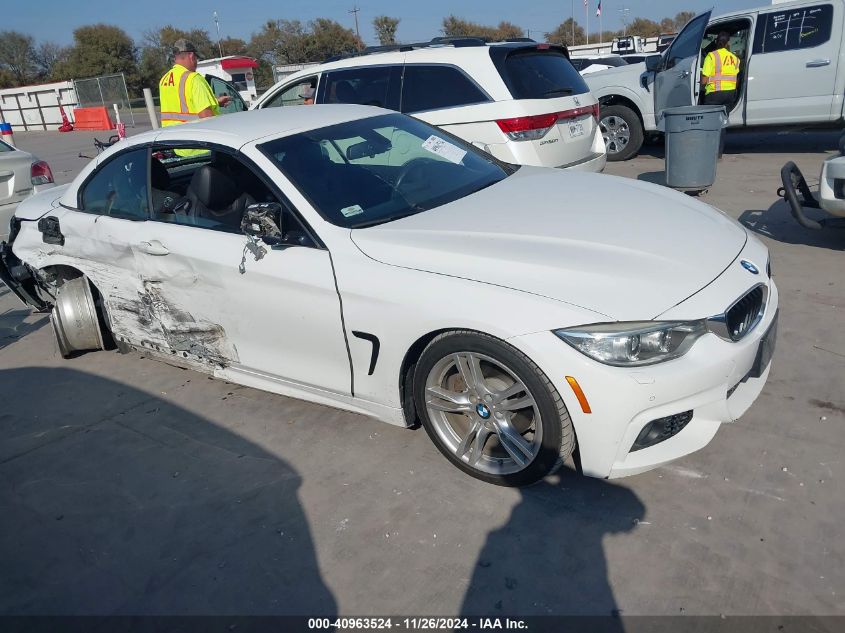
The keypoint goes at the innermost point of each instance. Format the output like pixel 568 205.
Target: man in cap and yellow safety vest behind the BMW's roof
pixel 185 94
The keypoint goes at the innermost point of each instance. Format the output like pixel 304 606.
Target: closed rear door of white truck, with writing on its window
pixel 792 76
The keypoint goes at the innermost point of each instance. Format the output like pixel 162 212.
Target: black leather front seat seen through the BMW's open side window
pixel 216 200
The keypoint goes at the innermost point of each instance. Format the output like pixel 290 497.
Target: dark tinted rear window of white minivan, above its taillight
pixel 536 74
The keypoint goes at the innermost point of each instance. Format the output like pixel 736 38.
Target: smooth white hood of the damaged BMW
pixel 625 249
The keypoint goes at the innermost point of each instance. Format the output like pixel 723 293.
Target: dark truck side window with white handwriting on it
pixel 792 29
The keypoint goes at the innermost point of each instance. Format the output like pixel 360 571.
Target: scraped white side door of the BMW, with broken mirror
pixel 269 312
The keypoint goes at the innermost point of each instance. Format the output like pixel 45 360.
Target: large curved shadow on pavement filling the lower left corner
pixel 116 502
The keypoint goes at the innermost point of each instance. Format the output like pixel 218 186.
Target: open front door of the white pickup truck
pixel 678 76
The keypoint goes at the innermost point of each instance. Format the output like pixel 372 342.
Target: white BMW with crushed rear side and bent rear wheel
pixel 365 260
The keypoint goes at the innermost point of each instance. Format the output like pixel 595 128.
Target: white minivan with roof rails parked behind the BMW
pixel 522 102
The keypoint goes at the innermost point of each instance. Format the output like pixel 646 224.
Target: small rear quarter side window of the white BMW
pixel 119 188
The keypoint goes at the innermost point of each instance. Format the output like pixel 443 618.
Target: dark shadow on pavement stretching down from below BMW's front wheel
pixel 548 558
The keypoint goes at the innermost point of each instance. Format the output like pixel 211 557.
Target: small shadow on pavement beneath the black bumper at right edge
pixel 777 223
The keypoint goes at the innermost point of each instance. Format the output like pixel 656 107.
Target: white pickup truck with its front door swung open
pixel 792 73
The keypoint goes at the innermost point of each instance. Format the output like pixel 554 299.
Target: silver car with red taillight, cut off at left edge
pixel 21 175
